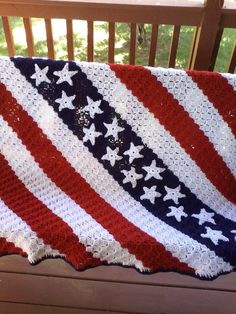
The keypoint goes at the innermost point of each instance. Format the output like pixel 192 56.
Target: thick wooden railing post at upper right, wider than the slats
pixel 206 35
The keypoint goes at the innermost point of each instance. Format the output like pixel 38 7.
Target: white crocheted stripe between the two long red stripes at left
pixel 96 239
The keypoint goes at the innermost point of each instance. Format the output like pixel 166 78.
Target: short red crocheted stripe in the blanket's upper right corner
pixel 220 93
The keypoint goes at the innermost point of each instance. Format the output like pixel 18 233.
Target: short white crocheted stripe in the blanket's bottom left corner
pixel 15 230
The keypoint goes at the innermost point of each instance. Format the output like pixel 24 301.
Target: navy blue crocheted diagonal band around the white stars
pixel 82 87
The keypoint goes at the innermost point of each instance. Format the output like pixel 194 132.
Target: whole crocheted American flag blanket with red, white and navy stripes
pixel 117 164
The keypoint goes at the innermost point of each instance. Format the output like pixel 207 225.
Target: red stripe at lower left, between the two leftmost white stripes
pixel 48 226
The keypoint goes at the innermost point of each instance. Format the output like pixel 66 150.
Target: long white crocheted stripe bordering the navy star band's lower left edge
pixel 198 256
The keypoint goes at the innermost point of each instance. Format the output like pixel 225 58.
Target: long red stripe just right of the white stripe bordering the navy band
pixel 172 116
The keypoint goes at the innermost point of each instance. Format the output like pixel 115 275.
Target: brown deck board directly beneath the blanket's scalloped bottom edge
pixel 59 268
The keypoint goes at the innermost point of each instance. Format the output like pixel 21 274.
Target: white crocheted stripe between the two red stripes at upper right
pixel 201 110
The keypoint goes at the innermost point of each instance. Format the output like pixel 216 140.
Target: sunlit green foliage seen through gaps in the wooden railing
pixel 122 42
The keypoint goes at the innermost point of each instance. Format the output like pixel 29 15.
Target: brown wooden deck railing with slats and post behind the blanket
pixel 209 18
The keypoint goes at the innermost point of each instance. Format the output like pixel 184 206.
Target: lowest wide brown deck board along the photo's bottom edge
pixel 113 296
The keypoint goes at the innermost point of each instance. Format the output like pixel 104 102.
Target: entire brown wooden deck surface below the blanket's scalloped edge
pixel 53 286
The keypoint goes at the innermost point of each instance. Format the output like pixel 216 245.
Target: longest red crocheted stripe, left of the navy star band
pixel 145 248
